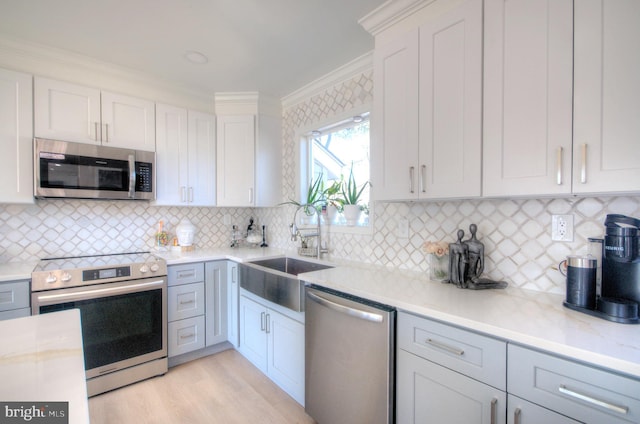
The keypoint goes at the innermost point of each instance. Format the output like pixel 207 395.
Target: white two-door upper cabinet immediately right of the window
pixel 426 134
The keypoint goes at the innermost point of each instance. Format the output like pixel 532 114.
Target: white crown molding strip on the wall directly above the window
pixel 357 66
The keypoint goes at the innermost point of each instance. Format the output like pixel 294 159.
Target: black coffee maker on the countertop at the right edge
pixel 621 268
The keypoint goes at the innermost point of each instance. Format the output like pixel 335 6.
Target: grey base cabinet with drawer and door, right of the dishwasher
pixel 448 375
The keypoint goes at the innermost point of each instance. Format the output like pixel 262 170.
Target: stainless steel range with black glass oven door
pixel 123 306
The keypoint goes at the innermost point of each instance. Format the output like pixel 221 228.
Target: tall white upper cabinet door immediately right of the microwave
pixel 171 155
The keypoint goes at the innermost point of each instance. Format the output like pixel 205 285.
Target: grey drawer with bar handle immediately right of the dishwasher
pixel 469 353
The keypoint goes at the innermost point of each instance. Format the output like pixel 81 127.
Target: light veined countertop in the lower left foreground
pixel 41 360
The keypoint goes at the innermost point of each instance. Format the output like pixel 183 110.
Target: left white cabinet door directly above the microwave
pixel 65 111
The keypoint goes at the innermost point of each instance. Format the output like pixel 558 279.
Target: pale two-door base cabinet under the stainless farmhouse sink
pixel 274 342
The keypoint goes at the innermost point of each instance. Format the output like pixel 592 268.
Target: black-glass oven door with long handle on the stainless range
pixel 123 324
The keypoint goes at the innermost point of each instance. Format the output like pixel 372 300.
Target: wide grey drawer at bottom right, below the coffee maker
pixel 587 394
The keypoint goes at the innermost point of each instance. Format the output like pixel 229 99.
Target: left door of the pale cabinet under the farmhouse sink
pixel 253 336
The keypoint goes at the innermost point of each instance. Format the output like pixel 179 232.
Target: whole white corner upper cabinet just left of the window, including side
pixel 249 150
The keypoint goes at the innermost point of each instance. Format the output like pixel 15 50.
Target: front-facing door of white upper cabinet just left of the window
pixel 236 160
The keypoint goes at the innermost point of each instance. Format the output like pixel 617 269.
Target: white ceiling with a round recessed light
pixel 271 46
